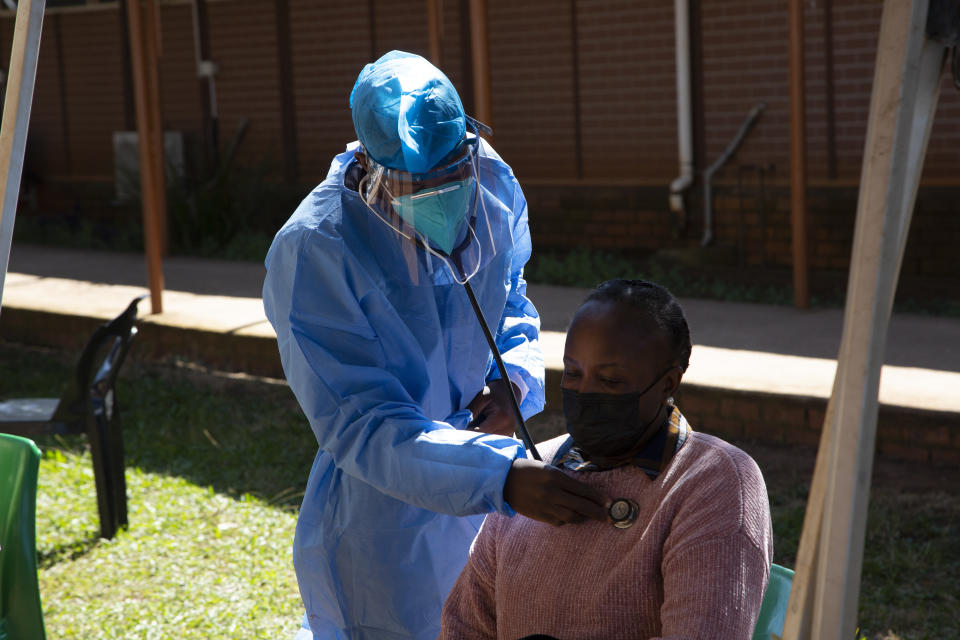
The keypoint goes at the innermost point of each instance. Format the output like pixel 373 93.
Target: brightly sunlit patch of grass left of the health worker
pixel 193 564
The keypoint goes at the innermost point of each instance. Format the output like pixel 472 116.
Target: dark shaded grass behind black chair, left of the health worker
pixel 239 437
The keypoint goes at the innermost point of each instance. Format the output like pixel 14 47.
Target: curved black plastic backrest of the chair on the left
pixel 99 363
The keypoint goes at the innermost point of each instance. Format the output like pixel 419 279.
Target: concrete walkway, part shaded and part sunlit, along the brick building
pixel 745 347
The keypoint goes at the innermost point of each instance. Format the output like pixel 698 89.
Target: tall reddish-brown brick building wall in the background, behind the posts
pixel 587 76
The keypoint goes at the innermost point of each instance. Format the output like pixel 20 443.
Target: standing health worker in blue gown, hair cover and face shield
pixel 388 361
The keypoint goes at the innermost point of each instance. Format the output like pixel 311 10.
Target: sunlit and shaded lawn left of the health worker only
pixel 215 472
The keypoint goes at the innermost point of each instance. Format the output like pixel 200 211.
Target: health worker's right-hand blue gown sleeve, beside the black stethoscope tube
pixel 518 335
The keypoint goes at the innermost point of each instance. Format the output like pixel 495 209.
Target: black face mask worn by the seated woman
pixel 607 425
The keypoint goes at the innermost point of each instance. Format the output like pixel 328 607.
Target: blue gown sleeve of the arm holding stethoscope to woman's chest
pixel 361 413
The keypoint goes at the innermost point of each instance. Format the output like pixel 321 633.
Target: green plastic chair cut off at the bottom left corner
pixel 21 617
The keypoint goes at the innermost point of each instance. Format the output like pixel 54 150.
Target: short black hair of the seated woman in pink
pixel 658 304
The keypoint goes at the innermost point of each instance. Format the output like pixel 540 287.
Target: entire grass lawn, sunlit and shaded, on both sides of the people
pixel 216 467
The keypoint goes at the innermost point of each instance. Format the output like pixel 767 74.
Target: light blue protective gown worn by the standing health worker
pixel 384 359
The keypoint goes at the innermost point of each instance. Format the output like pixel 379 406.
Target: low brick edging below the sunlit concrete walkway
pixel 902 433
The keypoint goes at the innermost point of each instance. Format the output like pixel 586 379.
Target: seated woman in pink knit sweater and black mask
pixel 689 553
